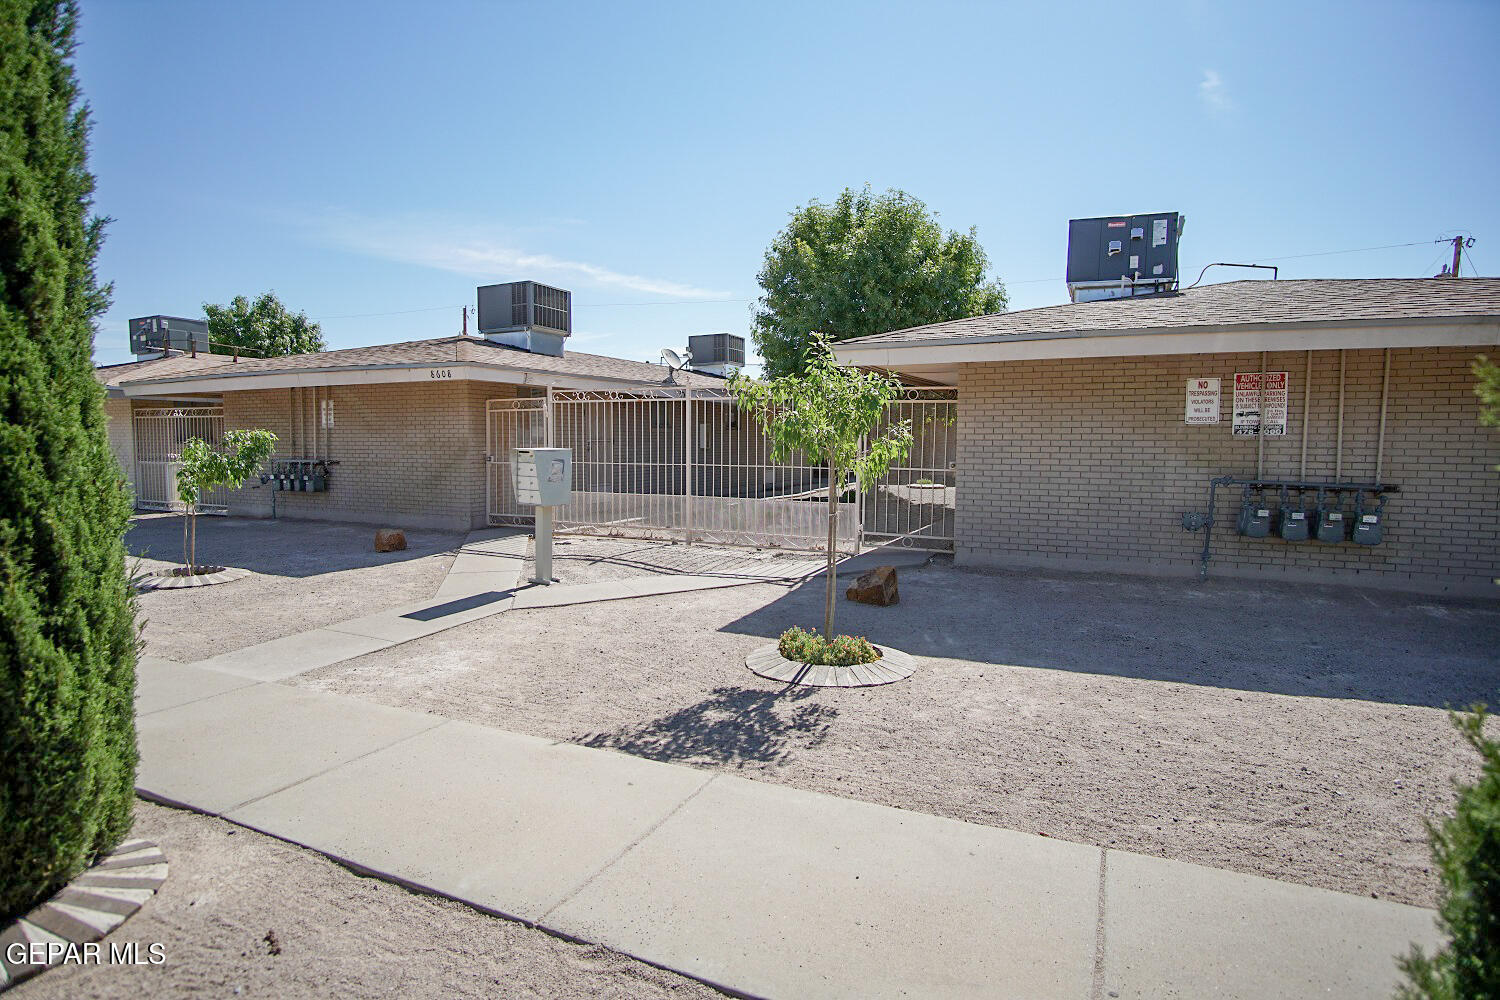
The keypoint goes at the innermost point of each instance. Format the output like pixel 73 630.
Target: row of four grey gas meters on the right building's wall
pixel 1324 521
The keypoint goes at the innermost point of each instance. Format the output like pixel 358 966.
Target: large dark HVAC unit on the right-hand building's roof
pixel 1120 257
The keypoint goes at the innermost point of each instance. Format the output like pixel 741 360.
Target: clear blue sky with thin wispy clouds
pixel 374 163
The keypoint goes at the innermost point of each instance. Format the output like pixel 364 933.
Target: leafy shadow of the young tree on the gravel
pixel 733 726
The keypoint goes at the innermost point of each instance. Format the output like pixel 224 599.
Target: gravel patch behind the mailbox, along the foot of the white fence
pixel 599 560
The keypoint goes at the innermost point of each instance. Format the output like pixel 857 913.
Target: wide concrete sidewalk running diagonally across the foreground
pixel 760 890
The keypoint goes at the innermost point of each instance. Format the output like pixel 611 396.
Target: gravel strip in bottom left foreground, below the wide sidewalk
pixel 230 893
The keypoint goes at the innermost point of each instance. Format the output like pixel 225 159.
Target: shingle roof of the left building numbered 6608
pixel 442 352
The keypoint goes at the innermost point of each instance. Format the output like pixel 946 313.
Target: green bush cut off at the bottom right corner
pixel 1468 852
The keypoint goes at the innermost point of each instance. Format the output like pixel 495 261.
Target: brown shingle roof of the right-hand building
pixel 1228 305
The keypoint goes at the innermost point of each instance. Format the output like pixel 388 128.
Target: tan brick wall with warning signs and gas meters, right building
pixel 1088 464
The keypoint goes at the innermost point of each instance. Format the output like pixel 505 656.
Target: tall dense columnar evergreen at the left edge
pixel 68 636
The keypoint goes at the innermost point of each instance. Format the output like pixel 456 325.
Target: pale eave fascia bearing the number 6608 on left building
pixel 367 376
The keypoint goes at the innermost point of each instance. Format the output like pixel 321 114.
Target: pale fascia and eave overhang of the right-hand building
pixel 941 359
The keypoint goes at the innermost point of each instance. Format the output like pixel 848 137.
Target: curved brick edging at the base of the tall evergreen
pixel 85 911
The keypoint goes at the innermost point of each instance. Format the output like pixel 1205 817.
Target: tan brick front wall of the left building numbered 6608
pixel 409 455
